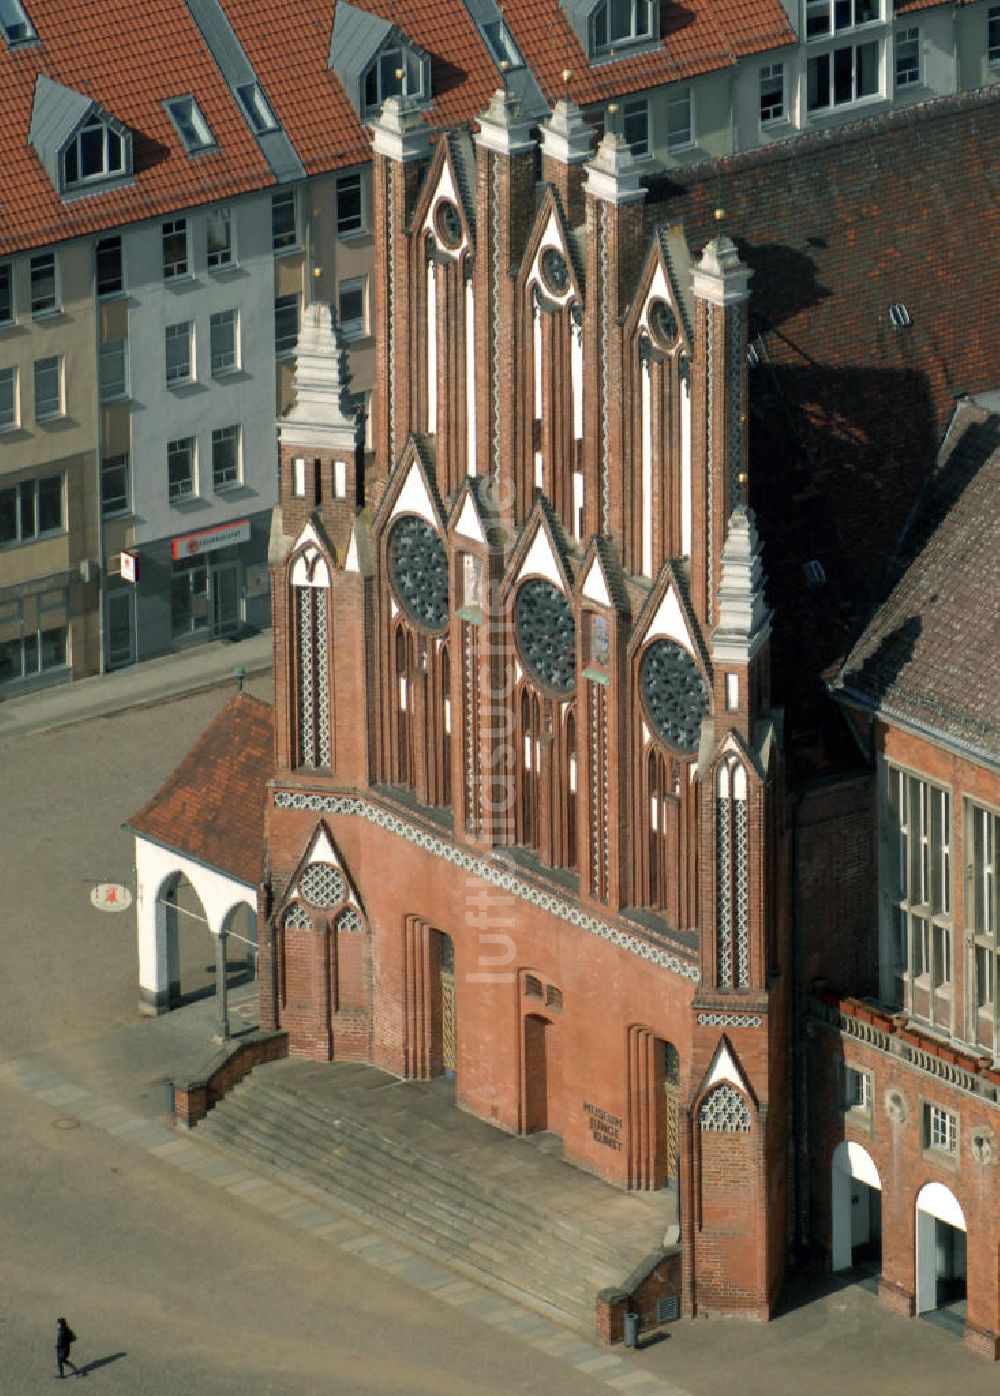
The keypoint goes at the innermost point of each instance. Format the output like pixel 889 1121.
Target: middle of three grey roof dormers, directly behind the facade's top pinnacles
pixel 375 61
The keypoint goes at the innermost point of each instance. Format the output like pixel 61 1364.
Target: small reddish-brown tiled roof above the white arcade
pixel 212 808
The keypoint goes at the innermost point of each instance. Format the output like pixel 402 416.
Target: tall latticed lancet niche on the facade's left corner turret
pixel 311 609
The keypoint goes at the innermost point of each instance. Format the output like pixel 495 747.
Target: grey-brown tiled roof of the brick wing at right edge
pixel 929 655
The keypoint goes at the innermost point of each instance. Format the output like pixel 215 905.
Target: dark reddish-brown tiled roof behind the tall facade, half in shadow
pixel 847 413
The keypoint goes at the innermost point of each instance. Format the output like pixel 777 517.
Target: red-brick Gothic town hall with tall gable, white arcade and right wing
pixel 633 760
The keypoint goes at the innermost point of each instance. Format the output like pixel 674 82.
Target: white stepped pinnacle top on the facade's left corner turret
pixel 321 382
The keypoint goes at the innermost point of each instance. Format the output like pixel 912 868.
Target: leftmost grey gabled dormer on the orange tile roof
pixel 82 147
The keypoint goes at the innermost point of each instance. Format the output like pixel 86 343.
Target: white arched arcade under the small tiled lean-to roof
pixel 223 898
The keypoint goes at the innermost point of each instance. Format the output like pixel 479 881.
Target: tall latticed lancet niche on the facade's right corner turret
pixel 733 894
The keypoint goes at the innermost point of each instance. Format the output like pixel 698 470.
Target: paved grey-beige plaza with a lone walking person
pixel 181 1277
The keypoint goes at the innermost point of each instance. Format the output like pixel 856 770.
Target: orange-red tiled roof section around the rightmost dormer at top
pixel 696 37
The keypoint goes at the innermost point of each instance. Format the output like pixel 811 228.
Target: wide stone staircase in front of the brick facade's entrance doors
pixel 505 1211
